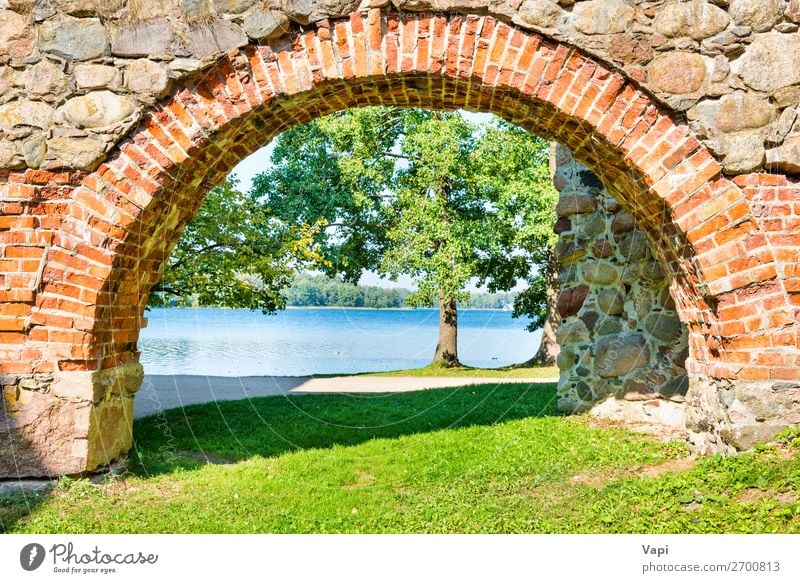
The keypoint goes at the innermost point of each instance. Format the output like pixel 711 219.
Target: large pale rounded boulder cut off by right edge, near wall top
pixel 770 62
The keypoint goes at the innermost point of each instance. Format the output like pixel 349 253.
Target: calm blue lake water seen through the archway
pixel 300 342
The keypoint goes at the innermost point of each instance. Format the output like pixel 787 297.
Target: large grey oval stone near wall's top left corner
pixel 78 39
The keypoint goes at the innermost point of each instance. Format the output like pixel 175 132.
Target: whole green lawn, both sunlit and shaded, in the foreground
pixel 471 459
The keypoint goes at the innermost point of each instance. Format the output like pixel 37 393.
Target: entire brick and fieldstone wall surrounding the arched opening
pixel 81 244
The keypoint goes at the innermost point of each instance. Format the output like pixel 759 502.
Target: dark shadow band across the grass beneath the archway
pixel 231 431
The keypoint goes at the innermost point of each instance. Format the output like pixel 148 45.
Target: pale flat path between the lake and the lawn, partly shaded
pixel 167 392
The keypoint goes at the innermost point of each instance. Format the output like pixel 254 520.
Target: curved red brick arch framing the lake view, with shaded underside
pixel 118 224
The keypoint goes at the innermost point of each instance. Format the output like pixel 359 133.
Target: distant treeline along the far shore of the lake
pixel 321 291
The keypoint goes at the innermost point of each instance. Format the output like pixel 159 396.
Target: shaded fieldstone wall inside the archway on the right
pixel 623 348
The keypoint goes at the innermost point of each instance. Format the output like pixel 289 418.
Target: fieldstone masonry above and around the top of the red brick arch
pixel 77 75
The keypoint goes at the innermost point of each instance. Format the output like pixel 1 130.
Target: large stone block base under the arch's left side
pixel 67 422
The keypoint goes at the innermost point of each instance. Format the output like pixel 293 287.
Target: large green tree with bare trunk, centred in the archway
pixel 415 192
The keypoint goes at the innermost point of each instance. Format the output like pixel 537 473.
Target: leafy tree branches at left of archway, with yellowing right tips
pixel 235 254
